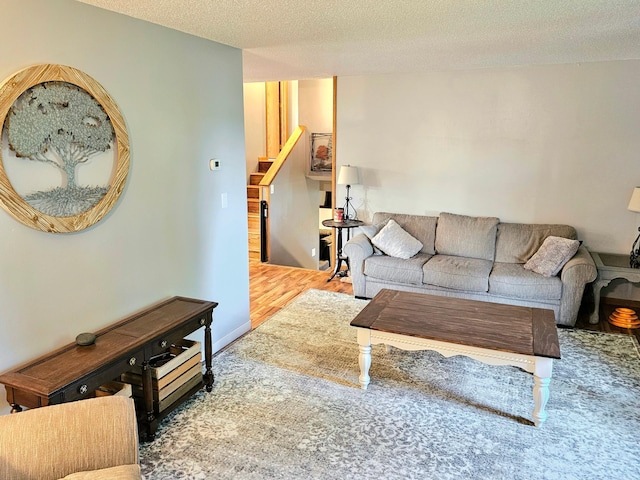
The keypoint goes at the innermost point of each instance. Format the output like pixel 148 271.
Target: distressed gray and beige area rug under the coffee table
pixel 286 404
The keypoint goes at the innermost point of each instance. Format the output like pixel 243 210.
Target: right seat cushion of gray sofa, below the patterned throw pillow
pixel 512 280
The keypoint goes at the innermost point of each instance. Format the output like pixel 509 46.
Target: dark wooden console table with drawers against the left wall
pixel 75 372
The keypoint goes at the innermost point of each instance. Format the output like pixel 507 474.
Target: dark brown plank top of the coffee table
pixel 510 328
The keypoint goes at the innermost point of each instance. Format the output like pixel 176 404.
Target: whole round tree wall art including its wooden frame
pixel 65 151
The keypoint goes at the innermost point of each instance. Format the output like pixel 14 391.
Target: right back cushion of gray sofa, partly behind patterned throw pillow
pixel 517 242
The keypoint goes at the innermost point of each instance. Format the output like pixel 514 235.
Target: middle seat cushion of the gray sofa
pixel 458 273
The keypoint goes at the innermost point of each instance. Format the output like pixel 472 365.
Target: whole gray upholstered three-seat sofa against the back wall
pixel 477 258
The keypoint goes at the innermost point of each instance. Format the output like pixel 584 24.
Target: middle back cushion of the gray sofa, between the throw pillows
pixel 463 236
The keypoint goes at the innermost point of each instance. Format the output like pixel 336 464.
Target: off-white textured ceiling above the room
pixel 300 39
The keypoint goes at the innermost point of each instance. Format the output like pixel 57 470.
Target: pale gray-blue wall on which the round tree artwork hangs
pixel 168 234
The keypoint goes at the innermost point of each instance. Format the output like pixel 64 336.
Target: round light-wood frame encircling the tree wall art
pixel 11 201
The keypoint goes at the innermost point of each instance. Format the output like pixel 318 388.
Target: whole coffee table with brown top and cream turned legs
pixel 492 333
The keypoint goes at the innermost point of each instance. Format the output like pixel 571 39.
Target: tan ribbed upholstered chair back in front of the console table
pixel 55 441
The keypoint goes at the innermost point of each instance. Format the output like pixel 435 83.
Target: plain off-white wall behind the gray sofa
pixel 540 144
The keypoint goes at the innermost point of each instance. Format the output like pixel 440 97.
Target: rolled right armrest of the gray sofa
pixel 576 273
